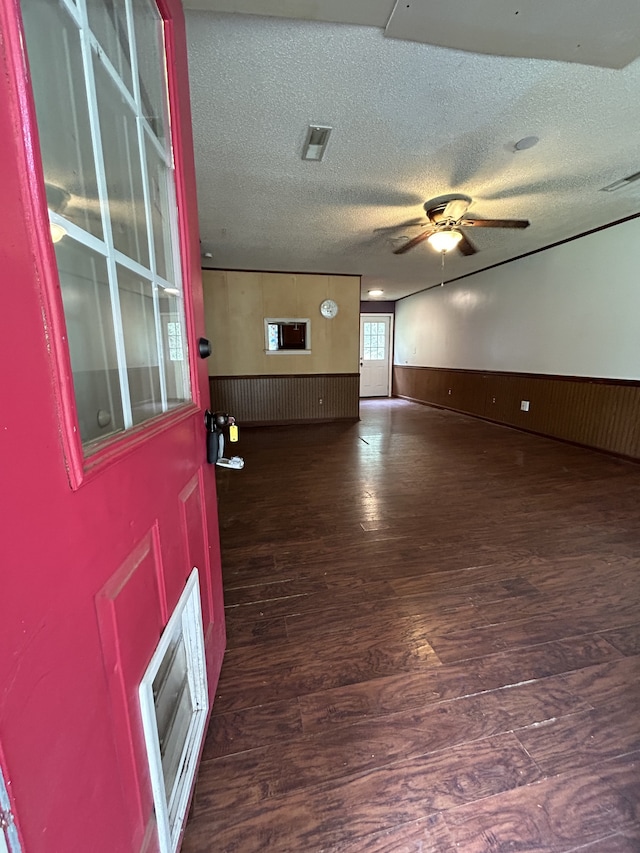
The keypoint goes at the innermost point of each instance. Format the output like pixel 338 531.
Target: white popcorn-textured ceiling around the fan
pixel 410 122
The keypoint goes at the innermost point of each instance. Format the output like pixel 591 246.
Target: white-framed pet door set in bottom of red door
pixel 174 705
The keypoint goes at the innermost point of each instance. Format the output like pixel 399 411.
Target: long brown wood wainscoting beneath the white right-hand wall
pixel 600 413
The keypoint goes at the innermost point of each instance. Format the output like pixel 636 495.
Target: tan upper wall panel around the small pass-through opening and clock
pixel 236 304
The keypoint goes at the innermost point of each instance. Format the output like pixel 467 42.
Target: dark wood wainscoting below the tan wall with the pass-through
pixel 285 399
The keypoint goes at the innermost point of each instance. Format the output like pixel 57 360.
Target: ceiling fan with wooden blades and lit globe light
pixel 445 218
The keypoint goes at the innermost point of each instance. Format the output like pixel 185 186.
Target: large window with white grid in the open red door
pixel 99 84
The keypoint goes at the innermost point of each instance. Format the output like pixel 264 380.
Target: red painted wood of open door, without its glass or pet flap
pixel 95 553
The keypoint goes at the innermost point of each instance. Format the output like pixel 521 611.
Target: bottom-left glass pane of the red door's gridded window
pixel 90 329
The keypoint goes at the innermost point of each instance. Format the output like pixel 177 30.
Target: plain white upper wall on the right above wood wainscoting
pixel 571 310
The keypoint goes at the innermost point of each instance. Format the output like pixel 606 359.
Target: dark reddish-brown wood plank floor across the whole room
pixel 434 643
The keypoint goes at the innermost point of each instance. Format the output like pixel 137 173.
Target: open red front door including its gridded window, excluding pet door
pixel 108 502
